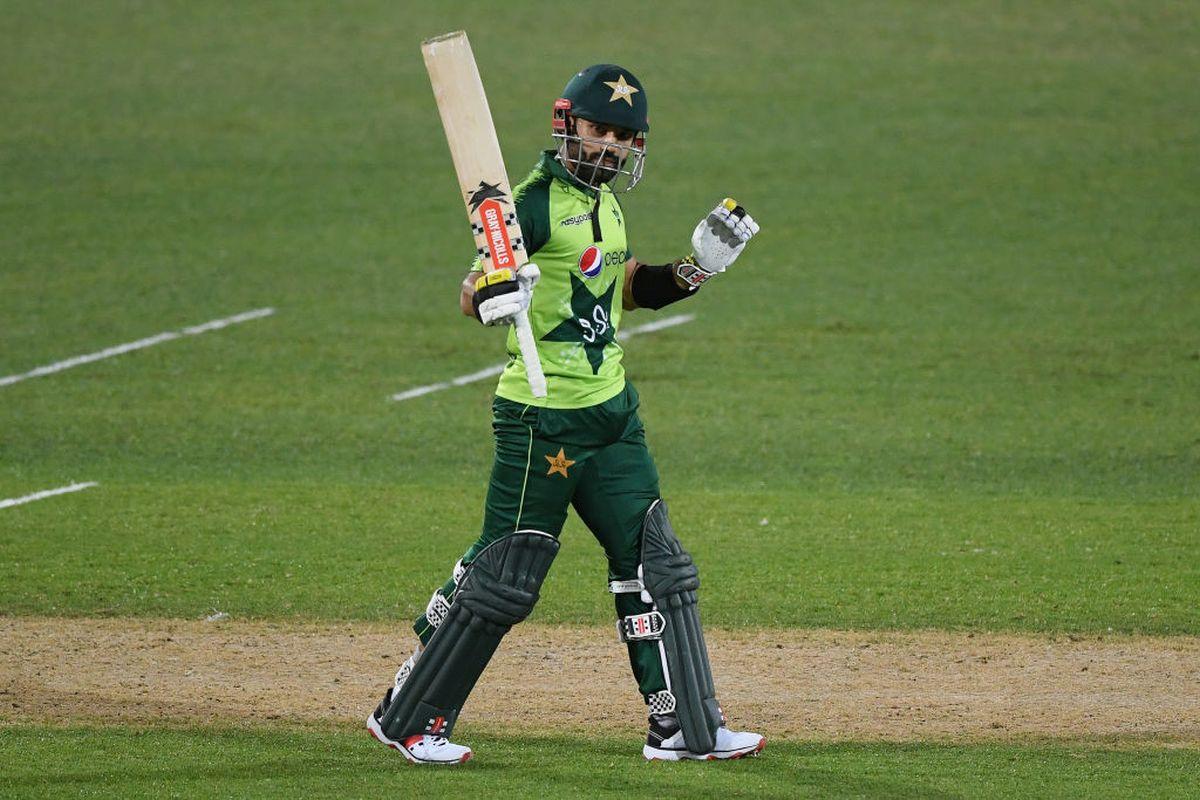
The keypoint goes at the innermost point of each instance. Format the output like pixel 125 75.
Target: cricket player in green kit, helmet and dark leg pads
pixel 583 446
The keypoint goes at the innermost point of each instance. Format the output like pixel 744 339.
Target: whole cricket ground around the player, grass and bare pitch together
pixel 934 441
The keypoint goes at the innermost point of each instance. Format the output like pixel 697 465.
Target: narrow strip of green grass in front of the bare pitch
pixel 251 765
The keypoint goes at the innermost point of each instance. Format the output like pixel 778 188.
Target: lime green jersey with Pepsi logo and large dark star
pixel 578 238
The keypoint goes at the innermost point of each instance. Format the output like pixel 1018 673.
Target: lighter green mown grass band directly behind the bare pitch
pixel 314 552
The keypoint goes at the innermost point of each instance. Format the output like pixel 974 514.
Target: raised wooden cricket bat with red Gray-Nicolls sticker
pixel 482 177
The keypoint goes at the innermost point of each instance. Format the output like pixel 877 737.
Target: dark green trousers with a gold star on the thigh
pixel 592 459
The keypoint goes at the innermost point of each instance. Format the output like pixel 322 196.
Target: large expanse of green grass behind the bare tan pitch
pixel 958 374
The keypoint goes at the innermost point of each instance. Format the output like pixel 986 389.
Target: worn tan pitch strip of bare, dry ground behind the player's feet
pixel 803 684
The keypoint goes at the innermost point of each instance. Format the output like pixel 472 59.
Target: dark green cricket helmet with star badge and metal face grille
pixel 609 95
